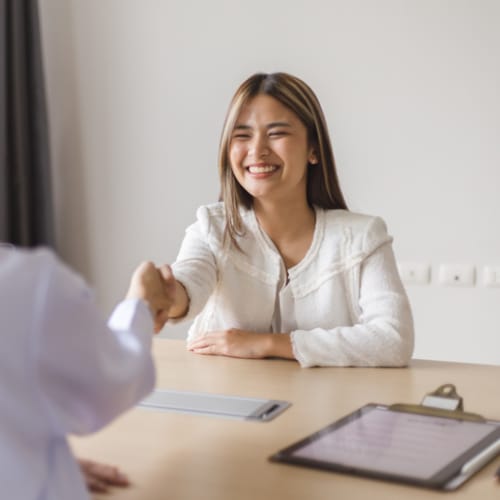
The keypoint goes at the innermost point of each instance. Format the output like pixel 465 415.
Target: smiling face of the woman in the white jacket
pixel 269 151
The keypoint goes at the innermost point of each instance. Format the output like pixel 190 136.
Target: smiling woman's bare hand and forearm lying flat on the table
pixel 243 344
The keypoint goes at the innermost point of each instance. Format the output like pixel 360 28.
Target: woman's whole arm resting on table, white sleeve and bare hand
pixel 383 335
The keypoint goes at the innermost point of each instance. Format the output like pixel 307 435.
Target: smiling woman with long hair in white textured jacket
pixel 280 267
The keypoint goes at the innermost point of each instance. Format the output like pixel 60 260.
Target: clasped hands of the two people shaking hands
pixel 164 295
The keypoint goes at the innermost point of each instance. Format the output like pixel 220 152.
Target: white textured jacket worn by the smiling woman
pixel 350 306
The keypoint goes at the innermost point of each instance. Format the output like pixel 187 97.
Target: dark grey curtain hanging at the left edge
pixel 26 212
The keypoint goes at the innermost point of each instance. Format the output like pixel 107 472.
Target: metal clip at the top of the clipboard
pixel 442 402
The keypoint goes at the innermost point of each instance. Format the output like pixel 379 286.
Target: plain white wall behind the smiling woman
pixel 138 91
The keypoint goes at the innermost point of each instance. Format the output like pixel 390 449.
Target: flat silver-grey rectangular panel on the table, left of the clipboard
pixel 214 405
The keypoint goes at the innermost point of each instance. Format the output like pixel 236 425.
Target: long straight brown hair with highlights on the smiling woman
pixel 323 188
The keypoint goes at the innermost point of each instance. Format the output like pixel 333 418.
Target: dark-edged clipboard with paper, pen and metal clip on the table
pixel 435 444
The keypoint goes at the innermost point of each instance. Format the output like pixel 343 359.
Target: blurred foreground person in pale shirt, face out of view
pixel 63 370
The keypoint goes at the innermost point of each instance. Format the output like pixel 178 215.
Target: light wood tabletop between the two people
pixel 193 457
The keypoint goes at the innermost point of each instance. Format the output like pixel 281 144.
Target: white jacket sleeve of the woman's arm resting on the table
pixel 383 334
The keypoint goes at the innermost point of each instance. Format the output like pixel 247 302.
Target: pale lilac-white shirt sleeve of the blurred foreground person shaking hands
pixel 87 372
